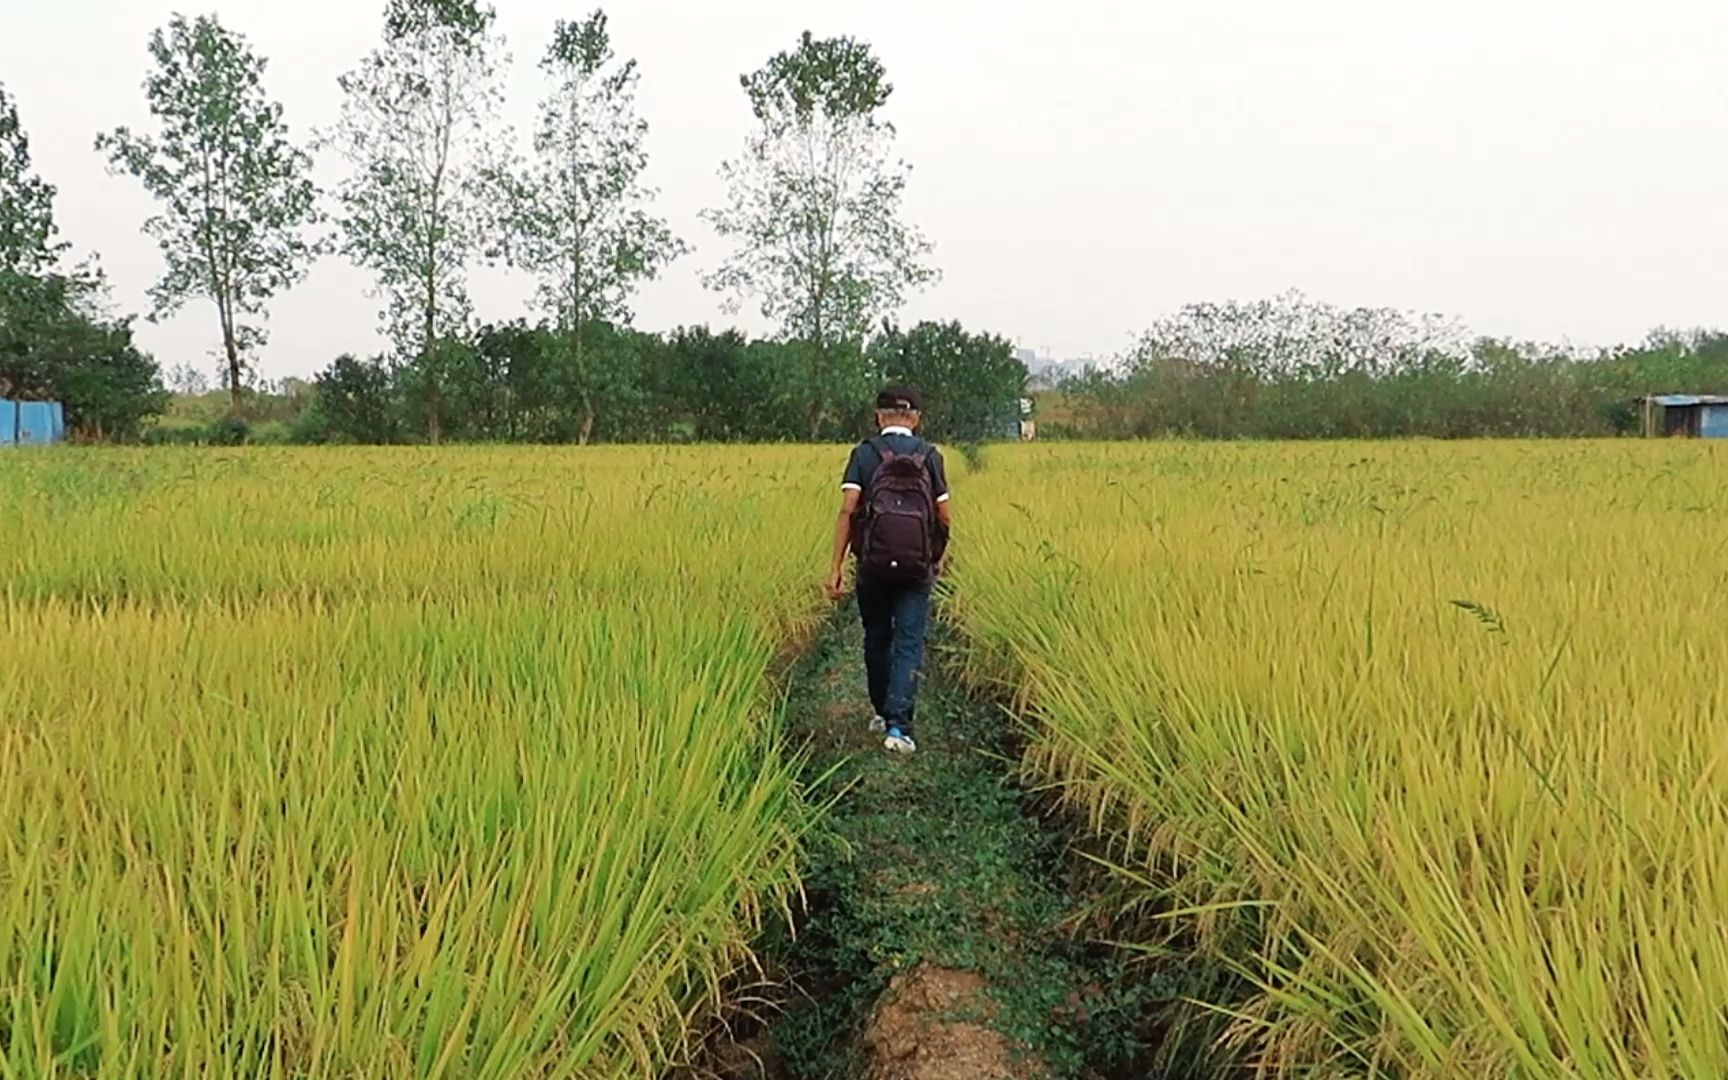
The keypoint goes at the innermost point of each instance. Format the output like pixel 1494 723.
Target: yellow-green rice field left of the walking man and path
pixel 390 763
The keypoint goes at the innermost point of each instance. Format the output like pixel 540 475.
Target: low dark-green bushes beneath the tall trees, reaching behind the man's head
pixel 512 383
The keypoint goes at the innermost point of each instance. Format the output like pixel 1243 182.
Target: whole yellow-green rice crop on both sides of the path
pixel 466 763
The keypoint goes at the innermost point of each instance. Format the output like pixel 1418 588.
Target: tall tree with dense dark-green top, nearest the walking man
pixel 815 203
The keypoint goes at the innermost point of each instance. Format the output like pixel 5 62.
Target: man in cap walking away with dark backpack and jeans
pixel 896 519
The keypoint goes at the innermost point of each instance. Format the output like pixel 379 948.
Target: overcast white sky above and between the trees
pixel 1541 168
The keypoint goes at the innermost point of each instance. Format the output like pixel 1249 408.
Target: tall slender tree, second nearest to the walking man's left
pixel 578 215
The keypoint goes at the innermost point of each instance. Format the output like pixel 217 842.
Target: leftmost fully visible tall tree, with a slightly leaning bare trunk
pixel 238 194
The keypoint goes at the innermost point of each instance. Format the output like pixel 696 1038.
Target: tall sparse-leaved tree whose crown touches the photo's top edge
pixel 417 125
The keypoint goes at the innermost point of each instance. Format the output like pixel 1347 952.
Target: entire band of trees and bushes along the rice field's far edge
pixel 816 241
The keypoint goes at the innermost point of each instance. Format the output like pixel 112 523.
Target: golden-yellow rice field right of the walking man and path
pixel 1426 740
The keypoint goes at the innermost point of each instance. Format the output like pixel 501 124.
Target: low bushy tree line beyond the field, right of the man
pixel 1295 369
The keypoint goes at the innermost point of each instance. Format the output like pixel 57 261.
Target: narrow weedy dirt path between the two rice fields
pixel 941 936
